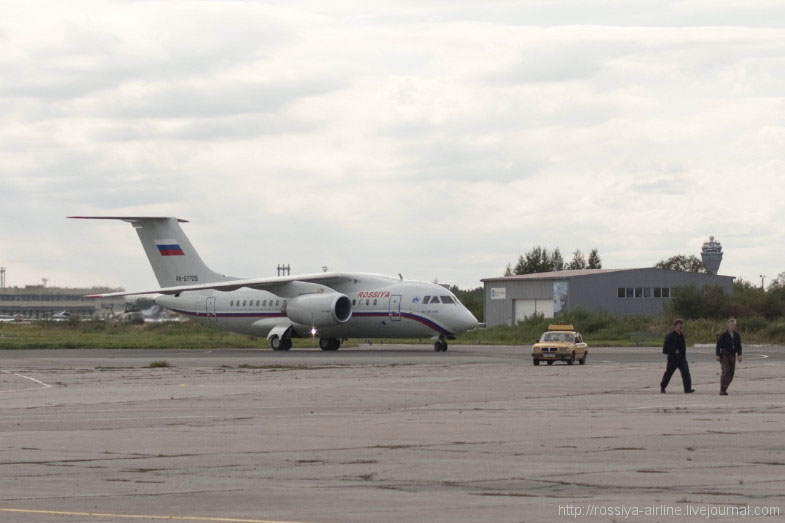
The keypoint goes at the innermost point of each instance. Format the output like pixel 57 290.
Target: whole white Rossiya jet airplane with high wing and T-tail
pixel 332 305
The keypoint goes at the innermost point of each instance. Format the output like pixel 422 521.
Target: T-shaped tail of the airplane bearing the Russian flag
pixel 173 258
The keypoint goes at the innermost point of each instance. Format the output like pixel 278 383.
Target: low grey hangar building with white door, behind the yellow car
pixel 509 299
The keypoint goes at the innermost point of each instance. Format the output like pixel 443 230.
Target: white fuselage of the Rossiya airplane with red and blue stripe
pixel 382 307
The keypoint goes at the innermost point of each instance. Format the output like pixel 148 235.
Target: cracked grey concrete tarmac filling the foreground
pixel 387 433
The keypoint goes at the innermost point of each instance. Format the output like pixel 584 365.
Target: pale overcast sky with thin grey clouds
pixel 435 139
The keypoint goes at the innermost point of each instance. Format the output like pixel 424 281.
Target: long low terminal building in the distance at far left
pixel 39 302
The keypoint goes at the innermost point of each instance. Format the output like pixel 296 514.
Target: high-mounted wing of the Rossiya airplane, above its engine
pixel 284 286
